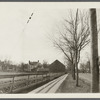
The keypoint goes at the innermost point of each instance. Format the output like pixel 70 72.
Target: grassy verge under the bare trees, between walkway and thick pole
pixel 69 86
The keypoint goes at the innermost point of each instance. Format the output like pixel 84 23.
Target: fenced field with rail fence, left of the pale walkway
pixel 18 82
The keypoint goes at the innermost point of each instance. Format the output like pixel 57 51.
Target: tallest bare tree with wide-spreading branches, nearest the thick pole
pixel 74 38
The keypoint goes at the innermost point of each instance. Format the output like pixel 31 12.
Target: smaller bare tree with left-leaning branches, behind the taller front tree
pixel 69 55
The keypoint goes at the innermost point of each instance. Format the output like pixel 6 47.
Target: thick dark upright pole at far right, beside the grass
pixel 94 52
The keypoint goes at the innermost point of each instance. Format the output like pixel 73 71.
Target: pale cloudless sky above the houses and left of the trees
pixel 21 42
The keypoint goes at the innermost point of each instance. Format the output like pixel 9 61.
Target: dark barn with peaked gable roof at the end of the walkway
pixel 57 66
